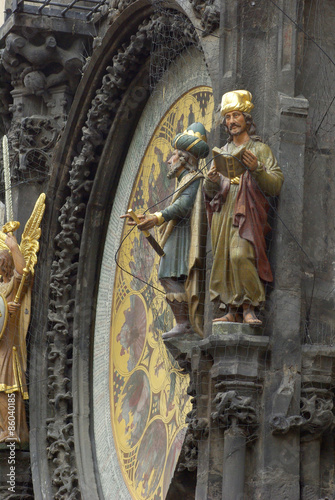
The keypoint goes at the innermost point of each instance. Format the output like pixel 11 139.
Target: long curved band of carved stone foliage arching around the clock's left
pixel 124 66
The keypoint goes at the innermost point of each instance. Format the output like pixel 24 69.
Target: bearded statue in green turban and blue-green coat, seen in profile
pixel 180 236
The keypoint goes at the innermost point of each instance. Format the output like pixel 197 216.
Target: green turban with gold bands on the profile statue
pixel 193 140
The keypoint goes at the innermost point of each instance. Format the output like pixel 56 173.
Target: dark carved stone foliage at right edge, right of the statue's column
pixel 316 417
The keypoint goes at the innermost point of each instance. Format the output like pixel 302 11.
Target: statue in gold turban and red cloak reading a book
pixel 237 211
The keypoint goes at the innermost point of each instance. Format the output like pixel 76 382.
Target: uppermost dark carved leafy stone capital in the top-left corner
pixel 39 67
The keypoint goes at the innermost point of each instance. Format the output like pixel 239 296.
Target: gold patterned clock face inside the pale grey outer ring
pixel 148 391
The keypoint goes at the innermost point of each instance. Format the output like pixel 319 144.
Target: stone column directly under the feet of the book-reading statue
pixel 235 378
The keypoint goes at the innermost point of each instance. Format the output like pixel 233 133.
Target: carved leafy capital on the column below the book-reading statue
pixel 232 409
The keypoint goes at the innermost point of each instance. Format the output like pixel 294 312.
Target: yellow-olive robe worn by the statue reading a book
pixel 234 277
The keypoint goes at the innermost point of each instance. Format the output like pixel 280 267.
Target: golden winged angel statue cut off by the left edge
pixel 16 277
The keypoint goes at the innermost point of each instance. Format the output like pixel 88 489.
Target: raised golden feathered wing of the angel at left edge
pixel 29 242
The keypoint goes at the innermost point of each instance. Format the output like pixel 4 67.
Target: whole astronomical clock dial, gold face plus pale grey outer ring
pixel 147 391
